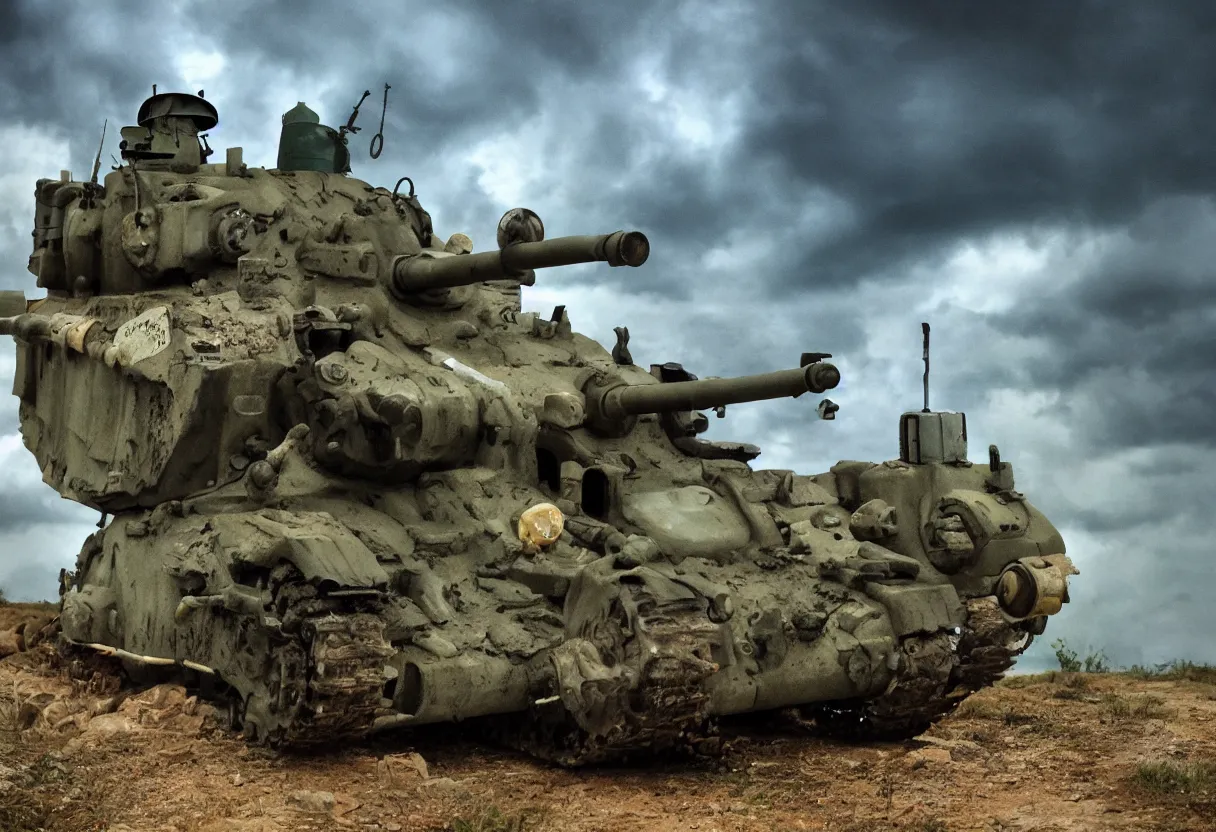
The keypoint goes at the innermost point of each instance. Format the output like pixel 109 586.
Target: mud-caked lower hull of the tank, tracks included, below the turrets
pixel 325 619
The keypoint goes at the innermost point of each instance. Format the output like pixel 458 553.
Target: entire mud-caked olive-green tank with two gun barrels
pixel 352 486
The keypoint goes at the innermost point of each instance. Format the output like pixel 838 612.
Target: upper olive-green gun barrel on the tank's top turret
pixel 420 273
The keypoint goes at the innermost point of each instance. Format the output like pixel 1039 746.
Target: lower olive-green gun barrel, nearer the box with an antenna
pixel 620 403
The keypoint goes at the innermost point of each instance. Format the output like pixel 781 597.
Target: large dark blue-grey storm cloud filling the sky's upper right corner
pixel 938 120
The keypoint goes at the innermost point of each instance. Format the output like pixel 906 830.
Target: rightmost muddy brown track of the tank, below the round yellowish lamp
pixel 937 674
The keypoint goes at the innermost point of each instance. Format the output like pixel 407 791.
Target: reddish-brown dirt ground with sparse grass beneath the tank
pixel 1045 754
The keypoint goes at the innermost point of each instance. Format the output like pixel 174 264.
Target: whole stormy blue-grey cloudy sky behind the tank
pixel 1034 179
